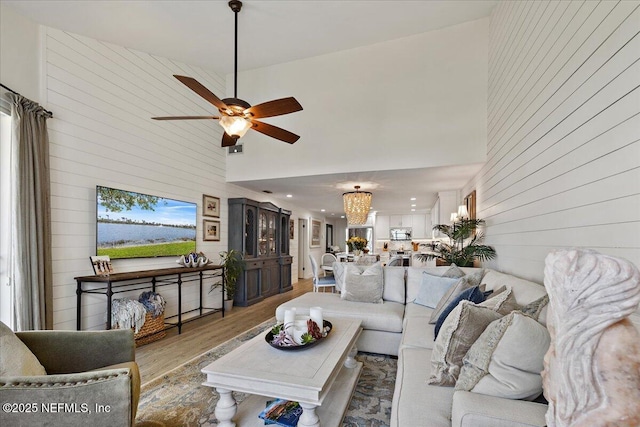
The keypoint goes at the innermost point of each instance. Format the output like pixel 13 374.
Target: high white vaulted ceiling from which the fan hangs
pixel 270 32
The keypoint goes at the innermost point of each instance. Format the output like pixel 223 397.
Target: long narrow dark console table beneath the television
pixel 138 280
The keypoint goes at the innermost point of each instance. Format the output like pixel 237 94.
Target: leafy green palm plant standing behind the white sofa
pixel 464 246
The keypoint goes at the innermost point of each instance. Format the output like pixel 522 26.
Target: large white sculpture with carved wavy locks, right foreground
pixel 592 369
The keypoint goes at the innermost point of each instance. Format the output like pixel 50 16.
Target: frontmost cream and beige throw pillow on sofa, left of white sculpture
pixel 507 359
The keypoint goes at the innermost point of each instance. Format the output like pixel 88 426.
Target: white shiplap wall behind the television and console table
pixel 103 97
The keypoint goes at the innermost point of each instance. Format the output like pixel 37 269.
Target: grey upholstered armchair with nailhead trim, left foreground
pixel 91 378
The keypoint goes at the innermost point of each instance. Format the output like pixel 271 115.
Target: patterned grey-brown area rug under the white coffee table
pixel 178 398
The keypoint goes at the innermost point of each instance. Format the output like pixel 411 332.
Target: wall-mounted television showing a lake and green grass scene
pixel 135 225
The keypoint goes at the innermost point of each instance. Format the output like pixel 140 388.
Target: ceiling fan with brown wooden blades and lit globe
pixel 236 115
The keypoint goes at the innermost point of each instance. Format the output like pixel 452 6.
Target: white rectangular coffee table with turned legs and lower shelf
pixel 325 374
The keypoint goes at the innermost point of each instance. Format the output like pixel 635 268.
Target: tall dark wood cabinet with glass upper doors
pixel 261 232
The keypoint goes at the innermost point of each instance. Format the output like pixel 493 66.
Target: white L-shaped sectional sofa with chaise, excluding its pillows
pixel 401 328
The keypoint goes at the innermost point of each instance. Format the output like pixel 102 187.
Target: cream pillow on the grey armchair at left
pixel 16 359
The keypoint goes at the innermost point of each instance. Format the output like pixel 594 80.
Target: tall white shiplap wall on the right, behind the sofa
pixel 563 155
